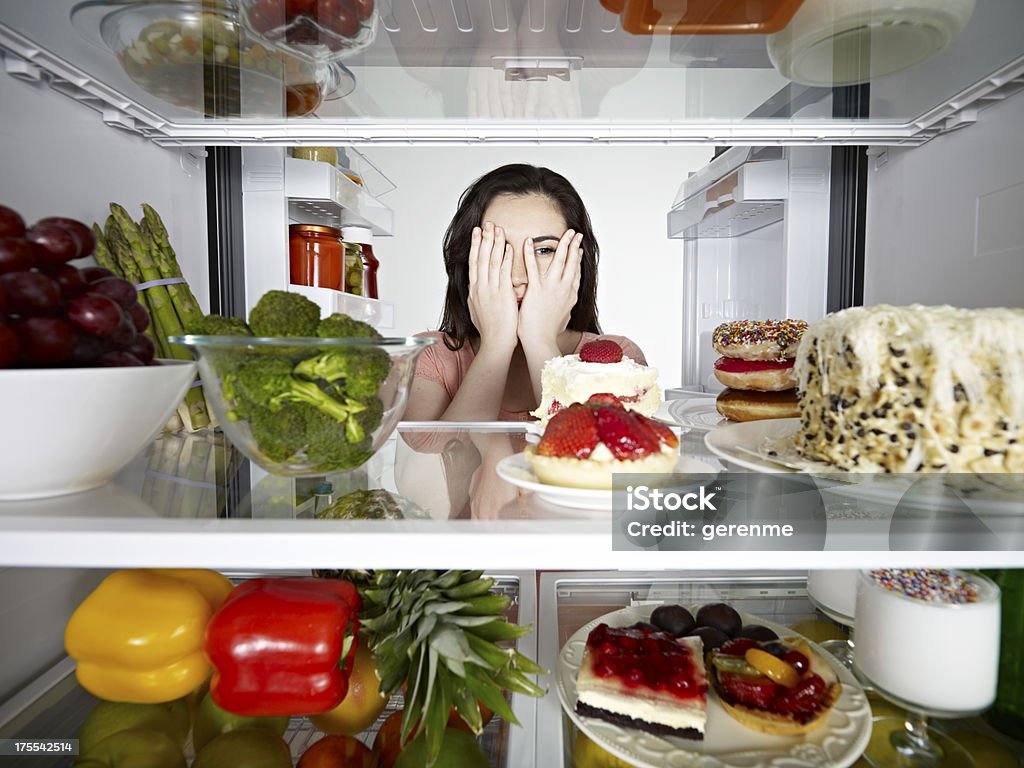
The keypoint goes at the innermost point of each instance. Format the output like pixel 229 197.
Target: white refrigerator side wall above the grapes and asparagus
pixel 58 159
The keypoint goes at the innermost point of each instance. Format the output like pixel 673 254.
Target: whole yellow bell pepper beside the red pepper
pixel 139 637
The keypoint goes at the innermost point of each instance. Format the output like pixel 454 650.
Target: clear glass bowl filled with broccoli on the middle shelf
pixel 305 406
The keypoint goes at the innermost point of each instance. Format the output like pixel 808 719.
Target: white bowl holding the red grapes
pixel 66 431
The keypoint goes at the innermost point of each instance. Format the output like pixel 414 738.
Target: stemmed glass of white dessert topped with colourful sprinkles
pixel 929 642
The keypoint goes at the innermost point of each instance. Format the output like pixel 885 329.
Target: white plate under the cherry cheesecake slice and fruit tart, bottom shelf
pixel 838 743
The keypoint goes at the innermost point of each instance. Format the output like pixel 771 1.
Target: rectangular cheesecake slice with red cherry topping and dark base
pixel 645 679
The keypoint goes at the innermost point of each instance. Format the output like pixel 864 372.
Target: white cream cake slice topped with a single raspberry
pixel 603 368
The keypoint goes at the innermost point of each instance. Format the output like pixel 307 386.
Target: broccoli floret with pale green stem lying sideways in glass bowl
pixel 269 382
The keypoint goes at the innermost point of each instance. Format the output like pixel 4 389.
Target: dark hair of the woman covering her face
pixel 519 181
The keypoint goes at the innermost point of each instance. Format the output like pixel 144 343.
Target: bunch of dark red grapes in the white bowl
pixel 55 315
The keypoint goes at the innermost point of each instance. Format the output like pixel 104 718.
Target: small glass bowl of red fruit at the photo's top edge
pixel 317 31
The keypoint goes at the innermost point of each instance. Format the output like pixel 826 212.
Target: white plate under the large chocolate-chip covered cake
pixel 740 444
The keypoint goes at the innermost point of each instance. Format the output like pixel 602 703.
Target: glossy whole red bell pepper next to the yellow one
pixel 284 647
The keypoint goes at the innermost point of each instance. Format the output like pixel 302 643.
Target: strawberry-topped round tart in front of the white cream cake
pixel 586 444
